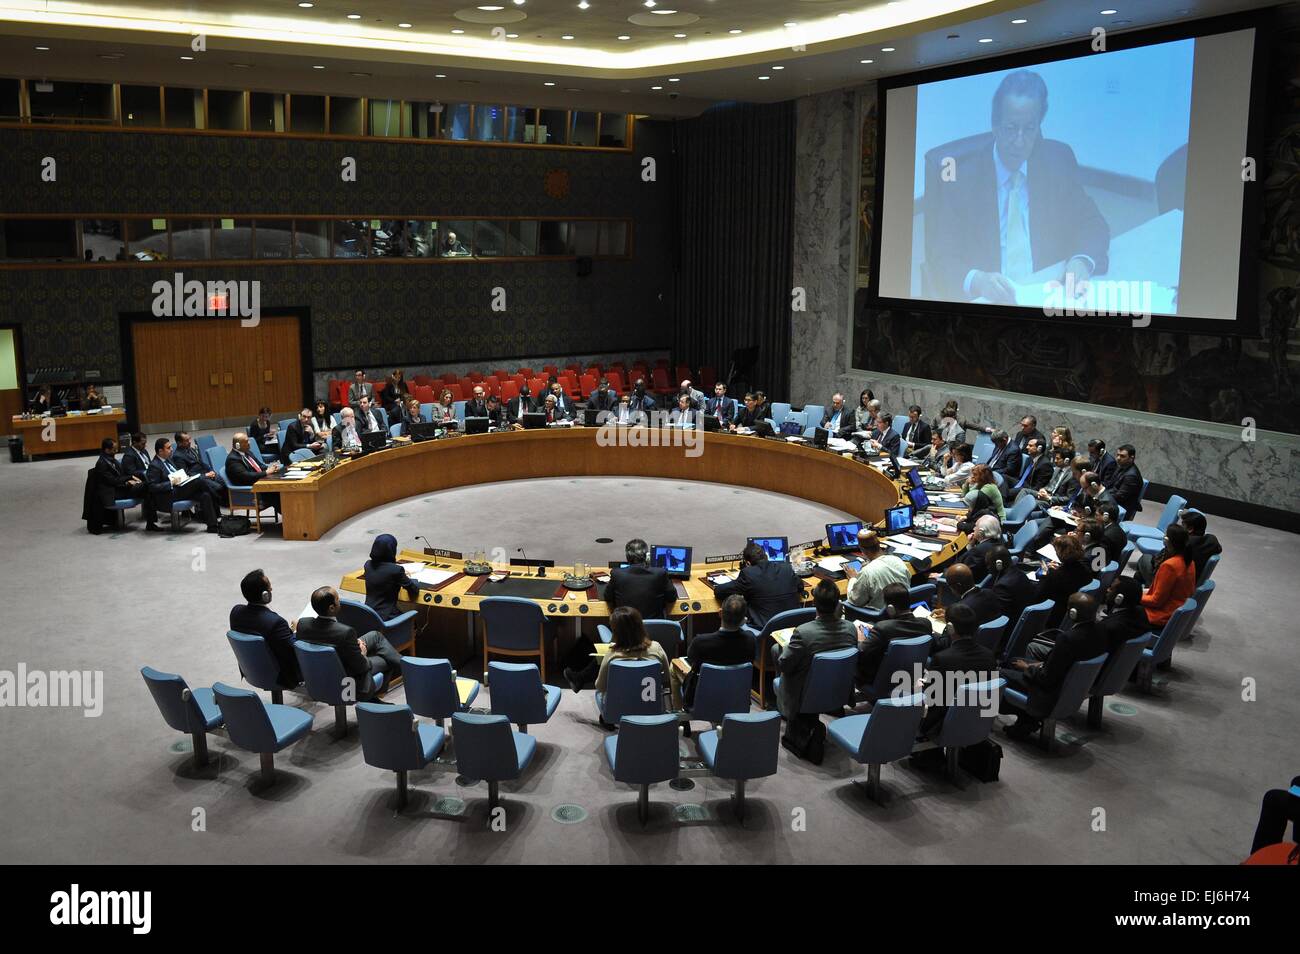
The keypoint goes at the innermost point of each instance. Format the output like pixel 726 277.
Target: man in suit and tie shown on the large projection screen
pixel 1012 206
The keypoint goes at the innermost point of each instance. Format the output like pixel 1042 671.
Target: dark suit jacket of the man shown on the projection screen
pixel 964 224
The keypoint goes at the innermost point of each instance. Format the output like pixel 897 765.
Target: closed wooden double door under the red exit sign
pixel 216 370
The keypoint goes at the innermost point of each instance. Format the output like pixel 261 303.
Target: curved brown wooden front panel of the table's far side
pixel 311 508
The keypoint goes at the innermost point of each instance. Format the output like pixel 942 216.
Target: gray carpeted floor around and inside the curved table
pixel 1178 775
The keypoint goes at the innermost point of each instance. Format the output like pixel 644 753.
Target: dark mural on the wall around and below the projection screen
pixel 1206 378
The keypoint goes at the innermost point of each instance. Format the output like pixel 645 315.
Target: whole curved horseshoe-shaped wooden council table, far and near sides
pixel 449 612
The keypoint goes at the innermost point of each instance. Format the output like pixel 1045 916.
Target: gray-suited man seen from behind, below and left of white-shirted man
pixel 805 735
